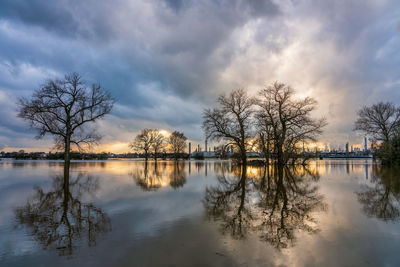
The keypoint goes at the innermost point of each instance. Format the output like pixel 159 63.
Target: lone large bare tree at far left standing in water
pixel 64 108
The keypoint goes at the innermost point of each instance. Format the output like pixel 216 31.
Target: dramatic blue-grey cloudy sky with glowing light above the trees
pixel 166 60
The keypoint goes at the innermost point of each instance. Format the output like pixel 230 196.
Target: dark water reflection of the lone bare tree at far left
pixel 59 219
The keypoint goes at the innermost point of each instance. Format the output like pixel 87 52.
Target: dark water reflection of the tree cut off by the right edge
pixel 382 200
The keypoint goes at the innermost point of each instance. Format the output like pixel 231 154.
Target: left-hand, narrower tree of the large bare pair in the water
pixel 232 121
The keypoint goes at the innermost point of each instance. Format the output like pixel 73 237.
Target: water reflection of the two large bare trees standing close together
pixel 271 201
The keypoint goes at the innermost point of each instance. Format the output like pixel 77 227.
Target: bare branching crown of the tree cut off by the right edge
pixel 380 121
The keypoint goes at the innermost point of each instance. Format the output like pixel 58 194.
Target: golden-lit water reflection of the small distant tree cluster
pixel 151 176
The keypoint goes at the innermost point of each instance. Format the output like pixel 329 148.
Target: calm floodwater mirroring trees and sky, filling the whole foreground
pixel 198 213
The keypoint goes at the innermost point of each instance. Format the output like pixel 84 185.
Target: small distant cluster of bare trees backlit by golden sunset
pixel 154 141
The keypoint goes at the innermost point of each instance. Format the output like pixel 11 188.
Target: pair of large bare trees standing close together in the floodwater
pixel 275 122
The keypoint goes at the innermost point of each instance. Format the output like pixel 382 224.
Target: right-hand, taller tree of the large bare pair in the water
pixel 290 119
